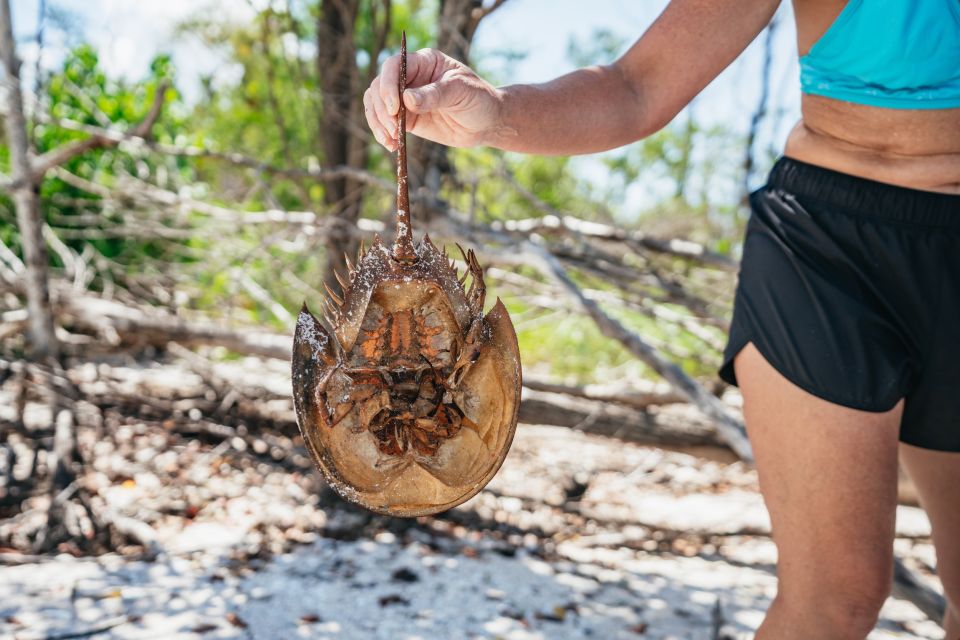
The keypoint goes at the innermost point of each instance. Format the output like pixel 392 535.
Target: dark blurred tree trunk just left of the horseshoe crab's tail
pixel 343 135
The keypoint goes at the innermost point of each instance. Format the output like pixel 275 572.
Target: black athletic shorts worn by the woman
pixel 850 288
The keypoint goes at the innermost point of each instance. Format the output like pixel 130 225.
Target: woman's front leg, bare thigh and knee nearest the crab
pixel 829 479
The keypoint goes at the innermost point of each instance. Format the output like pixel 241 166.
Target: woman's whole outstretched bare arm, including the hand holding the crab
pixel 591 109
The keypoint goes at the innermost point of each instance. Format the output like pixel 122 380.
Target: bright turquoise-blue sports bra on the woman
pixel 900 54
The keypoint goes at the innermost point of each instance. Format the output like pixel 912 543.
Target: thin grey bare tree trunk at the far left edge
pixel 43 344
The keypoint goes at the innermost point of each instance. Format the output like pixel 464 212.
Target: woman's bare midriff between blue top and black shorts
pixel 916 148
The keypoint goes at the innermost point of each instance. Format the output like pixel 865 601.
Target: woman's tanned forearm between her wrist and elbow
pixel 589 110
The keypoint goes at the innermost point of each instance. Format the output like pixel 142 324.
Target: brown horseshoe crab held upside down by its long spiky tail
pixel 408 402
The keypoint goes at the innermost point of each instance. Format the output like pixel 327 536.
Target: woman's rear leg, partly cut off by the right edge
pixel 936 475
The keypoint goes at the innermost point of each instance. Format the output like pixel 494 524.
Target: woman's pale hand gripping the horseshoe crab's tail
pixel 446 101
